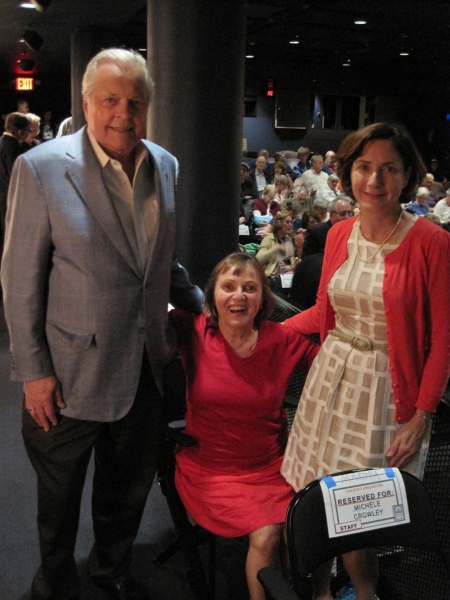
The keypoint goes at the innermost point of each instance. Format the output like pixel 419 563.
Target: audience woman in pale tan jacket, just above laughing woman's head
pixel 276 253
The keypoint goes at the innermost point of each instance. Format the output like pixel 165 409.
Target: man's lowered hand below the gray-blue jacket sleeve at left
pixel 41 398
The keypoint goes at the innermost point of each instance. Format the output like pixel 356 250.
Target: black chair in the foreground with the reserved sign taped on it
pixel 310 546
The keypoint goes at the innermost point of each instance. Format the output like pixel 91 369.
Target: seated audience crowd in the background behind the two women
pixel 309 189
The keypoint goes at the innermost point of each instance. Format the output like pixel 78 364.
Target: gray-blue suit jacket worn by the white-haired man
pixel 75 302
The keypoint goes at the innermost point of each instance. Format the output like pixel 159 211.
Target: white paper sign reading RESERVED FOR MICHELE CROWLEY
pixel 364 500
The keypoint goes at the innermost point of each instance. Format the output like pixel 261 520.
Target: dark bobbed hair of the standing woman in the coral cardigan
pixel 353 147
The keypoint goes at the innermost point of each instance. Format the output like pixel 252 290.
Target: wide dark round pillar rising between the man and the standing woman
pixel 196 55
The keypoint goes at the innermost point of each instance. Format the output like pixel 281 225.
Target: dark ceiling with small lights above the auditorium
pixel 325 30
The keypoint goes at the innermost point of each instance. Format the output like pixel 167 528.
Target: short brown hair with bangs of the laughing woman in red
pixel 238 262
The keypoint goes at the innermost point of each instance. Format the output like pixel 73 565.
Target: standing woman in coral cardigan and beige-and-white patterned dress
pixel 385 355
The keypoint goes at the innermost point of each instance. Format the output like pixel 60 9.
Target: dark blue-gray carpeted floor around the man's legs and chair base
pixel 19 553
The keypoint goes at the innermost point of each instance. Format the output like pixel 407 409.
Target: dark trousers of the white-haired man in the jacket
pixel 126 456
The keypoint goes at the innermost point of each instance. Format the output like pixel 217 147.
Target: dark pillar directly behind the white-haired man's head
pixel 84 45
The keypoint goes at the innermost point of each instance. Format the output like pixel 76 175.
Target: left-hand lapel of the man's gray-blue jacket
pixel 86 175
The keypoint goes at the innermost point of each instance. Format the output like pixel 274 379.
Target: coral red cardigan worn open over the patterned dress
pixel 416 289
